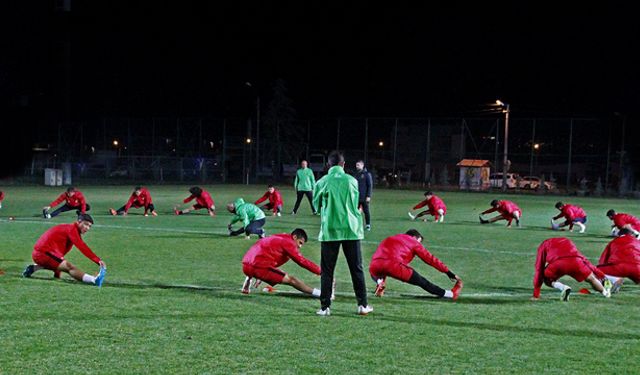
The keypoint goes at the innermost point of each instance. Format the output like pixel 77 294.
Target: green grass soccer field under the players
pixel 171 302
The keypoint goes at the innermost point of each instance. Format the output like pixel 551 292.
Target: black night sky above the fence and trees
pixel 356 59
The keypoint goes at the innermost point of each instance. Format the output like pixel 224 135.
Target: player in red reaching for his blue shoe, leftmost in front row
pixel 56 242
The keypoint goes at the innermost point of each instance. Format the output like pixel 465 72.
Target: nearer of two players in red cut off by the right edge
pixel 620 259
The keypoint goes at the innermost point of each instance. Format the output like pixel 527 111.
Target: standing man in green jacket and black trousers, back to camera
pixel 336 195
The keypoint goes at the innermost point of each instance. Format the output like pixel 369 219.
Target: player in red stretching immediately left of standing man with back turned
pixel 265 256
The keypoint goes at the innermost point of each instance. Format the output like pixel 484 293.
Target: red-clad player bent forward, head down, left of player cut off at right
pixel 558 257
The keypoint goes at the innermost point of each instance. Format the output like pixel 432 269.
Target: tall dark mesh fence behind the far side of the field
pixel 418 150
